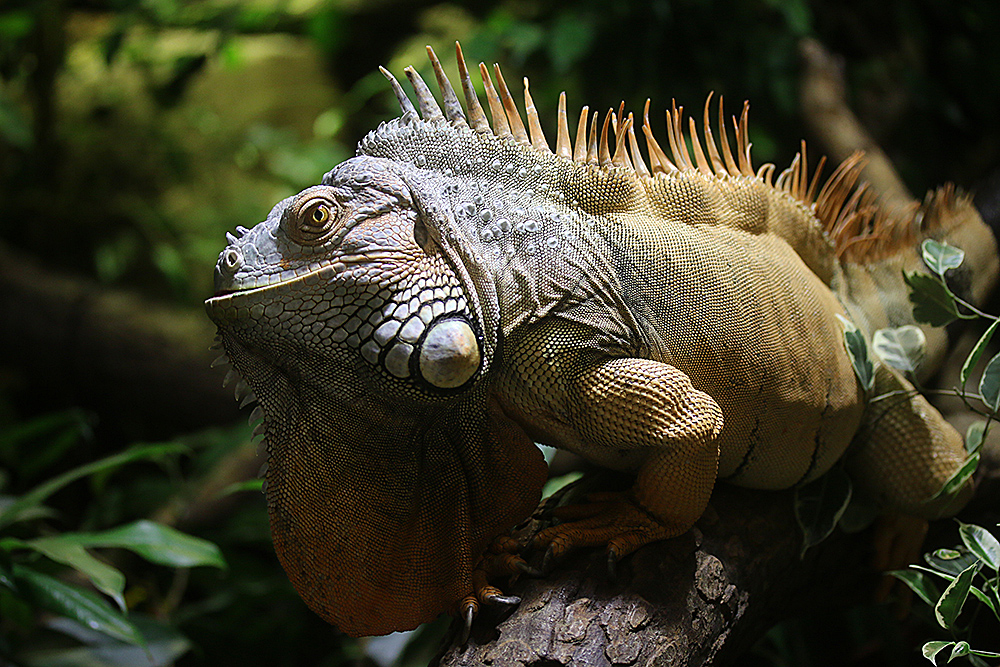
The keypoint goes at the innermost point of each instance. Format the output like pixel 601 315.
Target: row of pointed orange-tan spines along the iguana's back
pixel 861 228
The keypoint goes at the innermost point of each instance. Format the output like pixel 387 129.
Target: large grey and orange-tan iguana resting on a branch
pixel 457 292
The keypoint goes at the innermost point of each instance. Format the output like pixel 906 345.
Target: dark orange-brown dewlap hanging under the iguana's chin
pixel 379 527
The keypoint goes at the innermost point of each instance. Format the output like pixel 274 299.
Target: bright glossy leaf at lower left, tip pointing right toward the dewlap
pixel 156 543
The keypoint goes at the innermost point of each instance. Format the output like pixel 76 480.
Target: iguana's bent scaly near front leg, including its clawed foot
pixel 639 404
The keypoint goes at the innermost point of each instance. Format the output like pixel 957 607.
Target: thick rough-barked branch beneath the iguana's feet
pixel 703 598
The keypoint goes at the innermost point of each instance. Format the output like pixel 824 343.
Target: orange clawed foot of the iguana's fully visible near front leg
pixel 611 519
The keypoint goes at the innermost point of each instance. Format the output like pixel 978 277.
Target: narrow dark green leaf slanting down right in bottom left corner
pixel 78 604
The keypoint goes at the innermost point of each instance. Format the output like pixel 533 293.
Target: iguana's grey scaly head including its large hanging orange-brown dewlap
pixel 366 333
